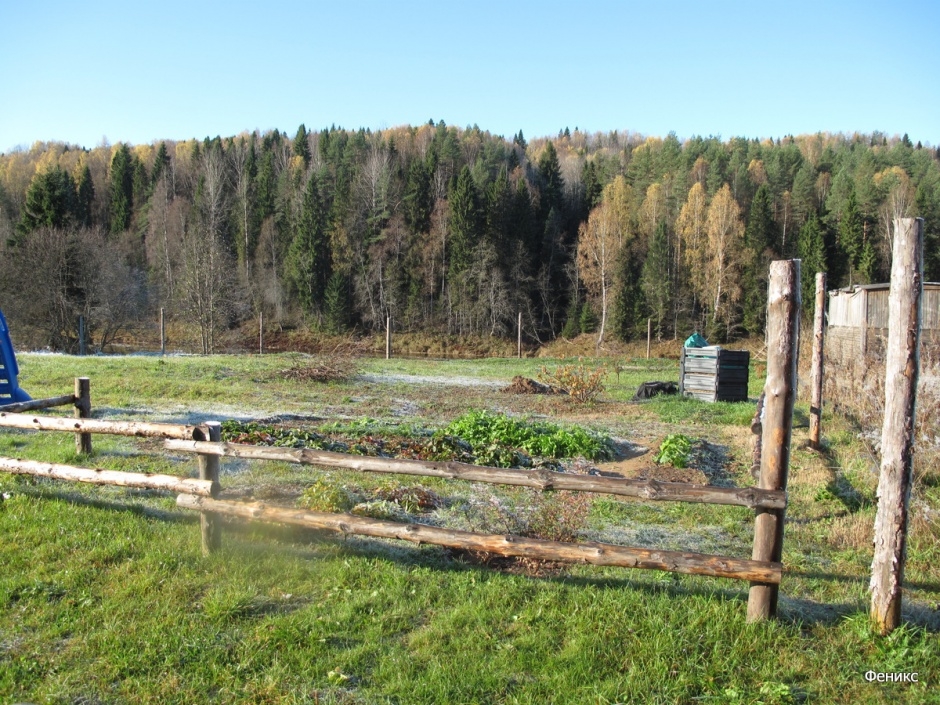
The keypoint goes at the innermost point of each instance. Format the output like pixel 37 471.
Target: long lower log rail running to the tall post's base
pixel 588 552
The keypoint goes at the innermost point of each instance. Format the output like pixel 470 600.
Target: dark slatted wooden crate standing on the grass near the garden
pixel 714 374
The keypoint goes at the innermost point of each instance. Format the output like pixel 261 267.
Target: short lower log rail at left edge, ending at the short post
pixel 97 476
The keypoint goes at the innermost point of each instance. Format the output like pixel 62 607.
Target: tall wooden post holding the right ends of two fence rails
pixel 783 321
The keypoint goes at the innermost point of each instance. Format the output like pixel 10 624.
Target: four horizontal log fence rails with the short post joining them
pixel 202 495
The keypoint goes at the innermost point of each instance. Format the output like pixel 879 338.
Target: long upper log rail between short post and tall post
pixel 750 497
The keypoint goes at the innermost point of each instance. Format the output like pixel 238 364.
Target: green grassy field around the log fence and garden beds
pixel 106 598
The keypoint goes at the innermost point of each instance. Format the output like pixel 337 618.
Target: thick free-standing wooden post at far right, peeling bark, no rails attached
pixel 897 433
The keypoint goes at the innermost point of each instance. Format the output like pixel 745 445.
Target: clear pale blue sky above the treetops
pixel 142 71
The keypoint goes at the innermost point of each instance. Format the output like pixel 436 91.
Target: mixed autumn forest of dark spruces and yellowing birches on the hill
pixel 447 230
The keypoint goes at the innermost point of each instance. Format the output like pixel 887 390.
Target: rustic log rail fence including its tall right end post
pixel 764 569
